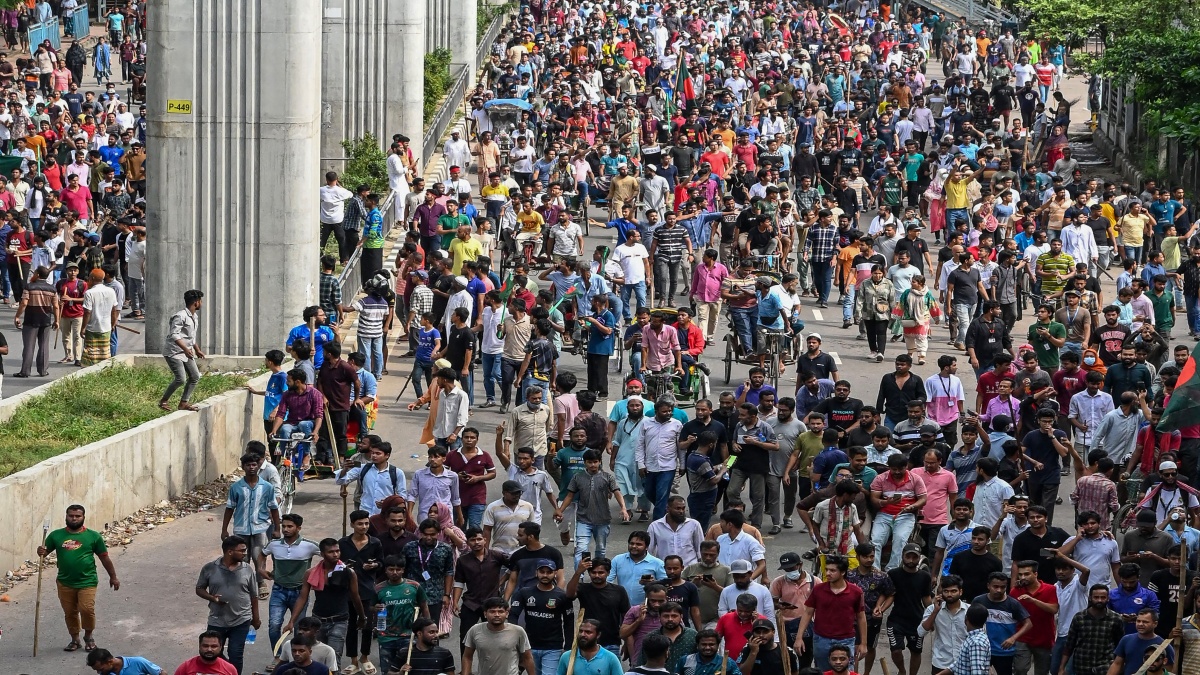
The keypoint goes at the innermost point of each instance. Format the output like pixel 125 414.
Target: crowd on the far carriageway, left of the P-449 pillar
pixel 73 196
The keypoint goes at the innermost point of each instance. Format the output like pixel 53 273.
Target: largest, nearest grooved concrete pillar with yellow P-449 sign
pixel 235 129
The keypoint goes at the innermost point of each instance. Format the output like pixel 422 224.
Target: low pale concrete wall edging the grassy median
pixel 118 476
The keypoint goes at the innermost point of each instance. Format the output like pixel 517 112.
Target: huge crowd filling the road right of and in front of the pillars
pixel 749 156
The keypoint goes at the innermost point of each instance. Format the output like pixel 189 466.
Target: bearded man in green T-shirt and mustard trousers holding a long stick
pixel 77 551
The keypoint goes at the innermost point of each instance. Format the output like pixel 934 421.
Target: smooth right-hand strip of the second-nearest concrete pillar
pixel 406 21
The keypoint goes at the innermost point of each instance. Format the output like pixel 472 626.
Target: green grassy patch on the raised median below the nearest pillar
pixel 85 410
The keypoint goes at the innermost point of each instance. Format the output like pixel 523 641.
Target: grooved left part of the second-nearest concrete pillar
pixel 353 80
